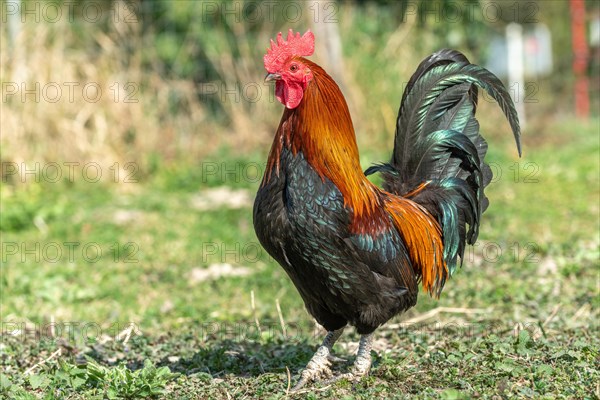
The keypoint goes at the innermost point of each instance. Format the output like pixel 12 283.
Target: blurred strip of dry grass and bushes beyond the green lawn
pixel 176 81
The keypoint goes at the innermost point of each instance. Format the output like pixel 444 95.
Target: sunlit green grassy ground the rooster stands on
pixel 528 291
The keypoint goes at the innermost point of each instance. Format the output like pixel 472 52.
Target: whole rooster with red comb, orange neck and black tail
pixel 357 253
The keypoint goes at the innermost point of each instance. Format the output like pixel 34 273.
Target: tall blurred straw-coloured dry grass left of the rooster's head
pixel 52 110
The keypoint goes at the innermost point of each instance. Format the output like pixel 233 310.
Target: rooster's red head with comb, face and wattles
pixel 284 64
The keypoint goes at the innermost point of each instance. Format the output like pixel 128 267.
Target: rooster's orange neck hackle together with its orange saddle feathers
pixel 321 129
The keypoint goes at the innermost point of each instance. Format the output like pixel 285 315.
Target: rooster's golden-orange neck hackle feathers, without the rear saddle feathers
pixel 321 128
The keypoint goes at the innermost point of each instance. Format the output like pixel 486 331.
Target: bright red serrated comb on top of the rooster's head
pixel 295 45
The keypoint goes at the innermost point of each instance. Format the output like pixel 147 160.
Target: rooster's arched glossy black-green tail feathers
pixel 438 141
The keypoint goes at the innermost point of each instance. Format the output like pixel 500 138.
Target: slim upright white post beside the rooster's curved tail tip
pixel 516 68
